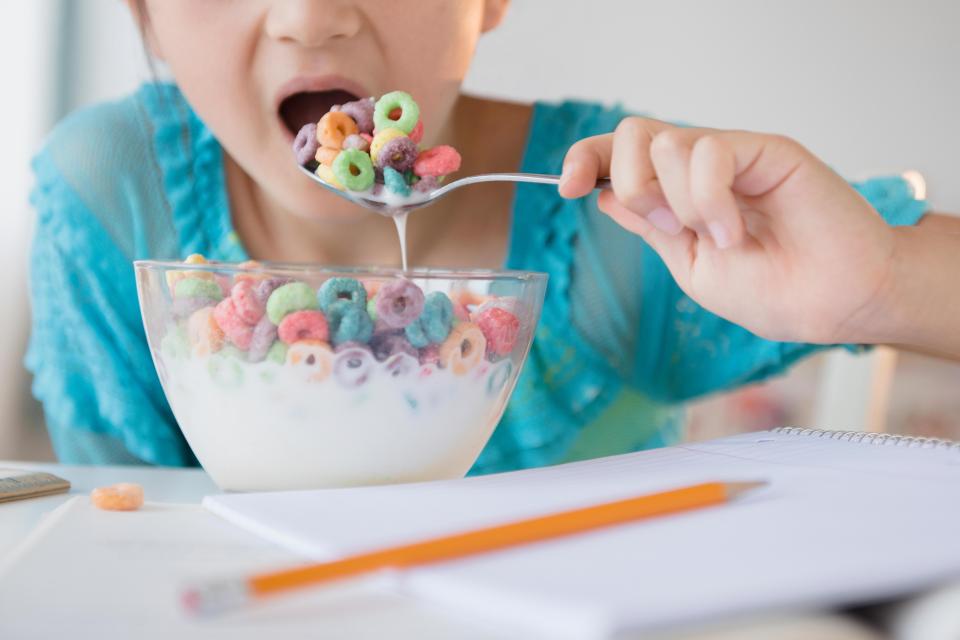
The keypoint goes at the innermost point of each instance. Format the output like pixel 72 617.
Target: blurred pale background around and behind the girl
pixel 869 85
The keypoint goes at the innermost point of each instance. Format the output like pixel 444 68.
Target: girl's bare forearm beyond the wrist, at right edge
pixel 920 309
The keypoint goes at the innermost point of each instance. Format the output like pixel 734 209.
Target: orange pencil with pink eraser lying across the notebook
pixel 219 596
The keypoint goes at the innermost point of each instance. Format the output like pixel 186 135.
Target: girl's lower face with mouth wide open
pixel 255 71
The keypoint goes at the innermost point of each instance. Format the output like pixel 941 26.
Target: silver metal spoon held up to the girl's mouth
pixel 391 205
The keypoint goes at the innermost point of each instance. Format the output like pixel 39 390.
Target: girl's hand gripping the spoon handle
pixel 753 227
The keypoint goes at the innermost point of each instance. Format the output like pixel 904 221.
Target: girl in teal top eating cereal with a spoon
pixel 751 229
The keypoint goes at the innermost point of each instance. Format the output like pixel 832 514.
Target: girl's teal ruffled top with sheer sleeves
pixel 618 350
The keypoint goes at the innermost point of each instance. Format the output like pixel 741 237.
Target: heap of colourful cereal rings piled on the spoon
pixel 368 144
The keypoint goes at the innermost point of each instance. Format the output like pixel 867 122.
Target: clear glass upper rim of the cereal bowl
pixel 288 268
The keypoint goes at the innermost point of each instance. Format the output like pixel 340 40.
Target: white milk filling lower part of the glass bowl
pixel 266 426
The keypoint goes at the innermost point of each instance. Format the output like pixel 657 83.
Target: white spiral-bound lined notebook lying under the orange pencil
pixel 847 518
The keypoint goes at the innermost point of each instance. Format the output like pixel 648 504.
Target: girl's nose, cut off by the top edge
pixel 312 23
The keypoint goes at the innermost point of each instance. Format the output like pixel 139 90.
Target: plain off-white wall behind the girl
pixel 870 85
